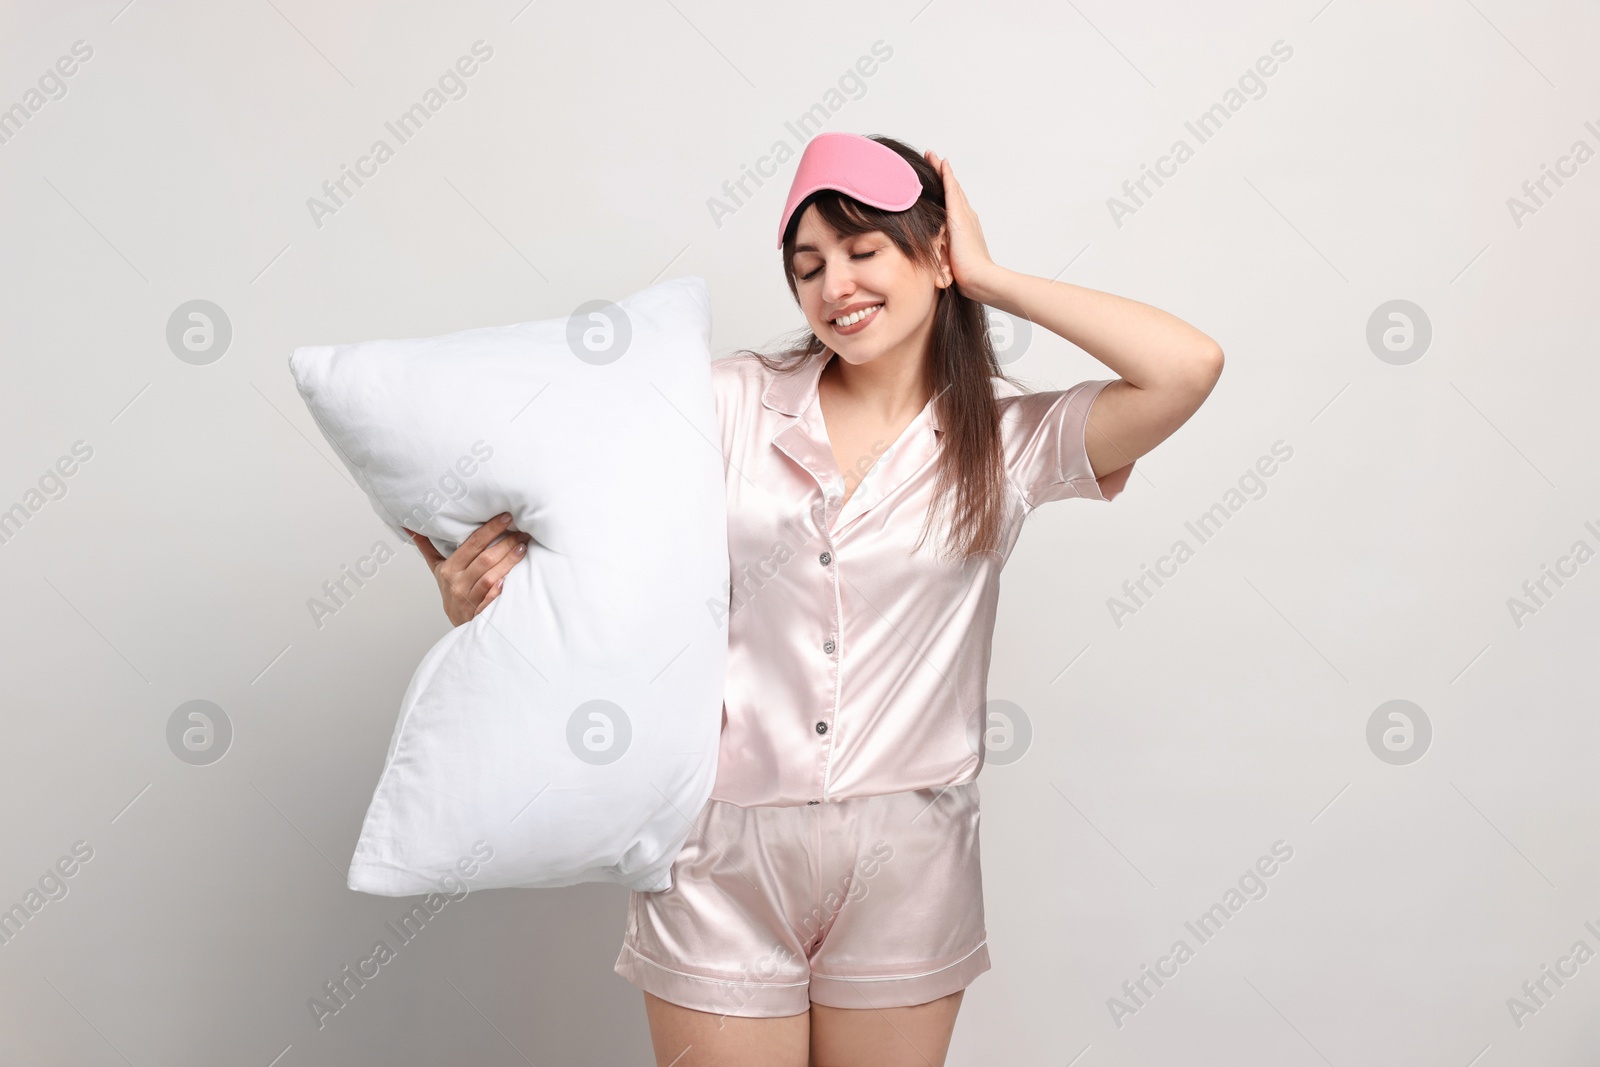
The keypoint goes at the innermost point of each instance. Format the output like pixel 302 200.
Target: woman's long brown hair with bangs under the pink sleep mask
pixel 961 361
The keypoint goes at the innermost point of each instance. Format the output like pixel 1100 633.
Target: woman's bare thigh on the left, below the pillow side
pixel 684 1037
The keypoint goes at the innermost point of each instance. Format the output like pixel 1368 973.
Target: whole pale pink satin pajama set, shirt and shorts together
pixel 838 858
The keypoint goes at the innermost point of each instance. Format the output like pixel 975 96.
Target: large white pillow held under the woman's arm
pixel 572 727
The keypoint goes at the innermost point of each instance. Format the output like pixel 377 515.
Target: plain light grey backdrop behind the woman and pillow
pixel 1169 751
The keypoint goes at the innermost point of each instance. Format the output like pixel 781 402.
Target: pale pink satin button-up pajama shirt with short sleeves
pixel 857 669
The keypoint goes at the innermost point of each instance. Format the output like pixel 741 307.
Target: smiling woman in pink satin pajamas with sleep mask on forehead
pixel 828 905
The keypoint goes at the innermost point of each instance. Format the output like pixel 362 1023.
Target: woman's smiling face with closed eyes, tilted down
pixel 862 295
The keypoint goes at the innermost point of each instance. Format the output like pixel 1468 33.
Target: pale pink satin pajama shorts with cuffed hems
pixel 863 903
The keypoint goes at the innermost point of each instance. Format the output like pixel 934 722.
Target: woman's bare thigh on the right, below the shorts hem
pixel 884 1037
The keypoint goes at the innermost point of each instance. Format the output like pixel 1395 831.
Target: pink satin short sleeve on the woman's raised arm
pixel 1046 452
